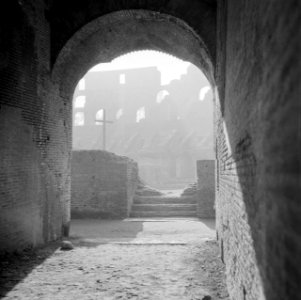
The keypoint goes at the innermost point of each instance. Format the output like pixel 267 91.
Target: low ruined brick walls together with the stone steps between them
pixel 105 185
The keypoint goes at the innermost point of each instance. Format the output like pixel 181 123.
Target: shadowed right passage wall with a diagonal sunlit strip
pixel 258 147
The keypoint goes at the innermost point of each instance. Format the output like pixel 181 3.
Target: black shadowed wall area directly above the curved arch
pixel 66 17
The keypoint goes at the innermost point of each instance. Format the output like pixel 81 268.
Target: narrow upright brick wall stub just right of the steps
pixel 206 188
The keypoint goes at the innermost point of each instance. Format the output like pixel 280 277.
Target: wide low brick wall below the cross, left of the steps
pixel 103 184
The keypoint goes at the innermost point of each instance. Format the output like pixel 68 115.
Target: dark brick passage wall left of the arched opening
pixel 34 180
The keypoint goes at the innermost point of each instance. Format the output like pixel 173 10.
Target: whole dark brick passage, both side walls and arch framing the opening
pixel 250 53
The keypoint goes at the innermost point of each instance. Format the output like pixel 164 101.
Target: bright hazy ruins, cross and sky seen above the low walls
pixel 151 107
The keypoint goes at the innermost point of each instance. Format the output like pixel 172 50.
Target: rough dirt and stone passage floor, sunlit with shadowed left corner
pixel 129 259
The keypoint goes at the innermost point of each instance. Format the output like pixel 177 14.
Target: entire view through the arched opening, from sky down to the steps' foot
pixel 170 141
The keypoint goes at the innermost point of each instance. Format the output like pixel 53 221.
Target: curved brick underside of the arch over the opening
pixel 118 33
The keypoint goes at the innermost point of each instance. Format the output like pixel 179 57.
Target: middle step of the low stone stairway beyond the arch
pixel 164 207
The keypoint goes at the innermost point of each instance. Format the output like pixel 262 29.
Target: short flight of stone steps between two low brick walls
pixel 163 206
